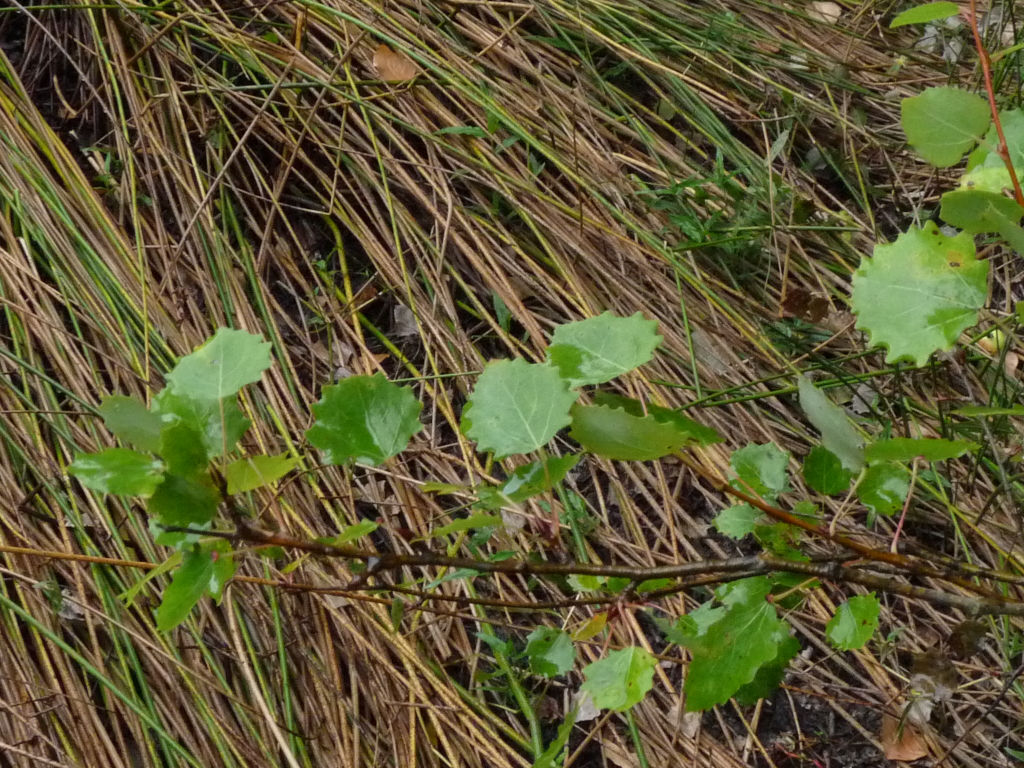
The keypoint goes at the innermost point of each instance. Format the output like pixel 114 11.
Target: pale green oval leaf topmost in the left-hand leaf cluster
pixel 222 367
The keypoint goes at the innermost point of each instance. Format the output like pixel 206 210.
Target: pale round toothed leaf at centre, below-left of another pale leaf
pixel 517 407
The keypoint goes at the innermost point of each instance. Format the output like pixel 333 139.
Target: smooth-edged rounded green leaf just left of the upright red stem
pixel 943 124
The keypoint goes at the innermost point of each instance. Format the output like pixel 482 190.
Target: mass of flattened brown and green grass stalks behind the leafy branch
pixel 167 169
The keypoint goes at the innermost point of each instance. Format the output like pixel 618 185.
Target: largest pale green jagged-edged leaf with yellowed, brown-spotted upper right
pixel 918 295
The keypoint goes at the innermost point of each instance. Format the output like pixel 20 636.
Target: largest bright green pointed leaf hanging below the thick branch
pixel 730 653
